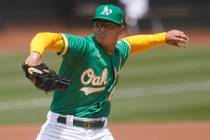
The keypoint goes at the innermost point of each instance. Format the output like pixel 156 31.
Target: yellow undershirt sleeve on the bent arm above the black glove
pixel 45 40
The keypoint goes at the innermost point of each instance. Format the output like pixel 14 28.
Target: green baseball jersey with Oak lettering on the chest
pixel 93 73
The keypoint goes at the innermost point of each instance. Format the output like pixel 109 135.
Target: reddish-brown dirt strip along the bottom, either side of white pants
pixel 125 131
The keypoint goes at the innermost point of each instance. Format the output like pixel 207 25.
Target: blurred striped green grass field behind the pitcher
pixel 163 84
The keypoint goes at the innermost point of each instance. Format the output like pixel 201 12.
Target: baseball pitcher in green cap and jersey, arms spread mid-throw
pixel 88 74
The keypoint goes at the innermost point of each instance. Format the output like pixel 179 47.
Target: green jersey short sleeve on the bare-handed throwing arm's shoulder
pixel 124 49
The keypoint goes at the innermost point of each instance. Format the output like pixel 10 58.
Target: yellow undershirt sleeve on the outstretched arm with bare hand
pixel 139 43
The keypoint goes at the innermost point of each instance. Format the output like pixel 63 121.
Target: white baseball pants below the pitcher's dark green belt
pixel 52 130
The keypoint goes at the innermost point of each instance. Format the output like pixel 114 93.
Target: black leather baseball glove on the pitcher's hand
pixel 44 78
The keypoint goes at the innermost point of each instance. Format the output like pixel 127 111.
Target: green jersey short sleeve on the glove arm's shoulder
pixel 76 45
